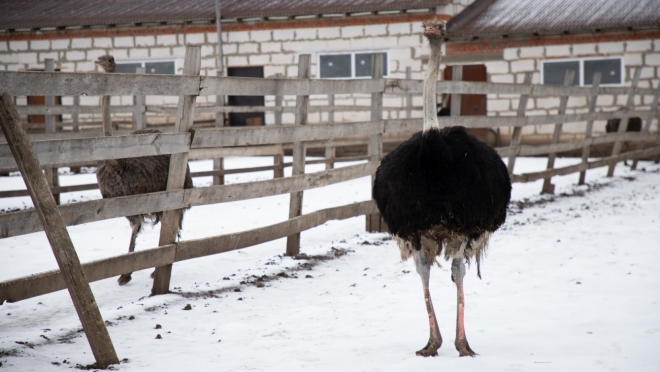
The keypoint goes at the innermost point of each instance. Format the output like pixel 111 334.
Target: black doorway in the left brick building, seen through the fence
pixel 241 119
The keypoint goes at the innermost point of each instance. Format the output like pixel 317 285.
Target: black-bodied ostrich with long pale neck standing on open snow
pixel 442 190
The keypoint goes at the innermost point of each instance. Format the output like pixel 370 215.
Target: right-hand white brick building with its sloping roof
pixel 546 37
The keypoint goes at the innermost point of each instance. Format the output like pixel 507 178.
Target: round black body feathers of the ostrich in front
pixel 442 184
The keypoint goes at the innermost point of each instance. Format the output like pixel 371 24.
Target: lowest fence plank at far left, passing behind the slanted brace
pixel 51 281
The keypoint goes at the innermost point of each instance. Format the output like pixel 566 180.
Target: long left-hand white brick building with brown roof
pixel 259 38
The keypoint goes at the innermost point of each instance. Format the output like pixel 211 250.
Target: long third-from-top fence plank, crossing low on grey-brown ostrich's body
pixel 25 222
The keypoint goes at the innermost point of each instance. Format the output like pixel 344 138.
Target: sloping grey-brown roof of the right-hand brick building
pixel 487 18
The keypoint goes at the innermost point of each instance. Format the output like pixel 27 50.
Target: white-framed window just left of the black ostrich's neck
pixel 348 65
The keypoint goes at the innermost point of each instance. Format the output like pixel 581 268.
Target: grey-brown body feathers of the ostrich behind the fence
pixel 132 176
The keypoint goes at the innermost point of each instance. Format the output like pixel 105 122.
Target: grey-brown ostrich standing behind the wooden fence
pixel 131 176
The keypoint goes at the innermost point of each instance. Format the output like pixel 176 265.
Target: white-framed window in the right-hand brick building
pixel 611 69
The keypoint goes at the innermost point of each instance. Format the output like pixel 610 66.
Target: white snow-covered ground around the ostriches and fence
pixel 570 283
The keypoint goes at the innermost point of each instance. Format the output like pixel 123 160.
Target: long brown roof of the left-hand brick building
pixel 25 14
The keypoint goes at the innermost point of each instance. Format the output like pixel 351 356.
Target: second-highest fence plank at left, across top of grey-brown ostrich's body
pixel 56 153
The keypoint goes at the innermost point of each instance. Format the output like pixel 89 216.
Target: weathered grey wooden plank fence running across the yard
pixel 221 142
